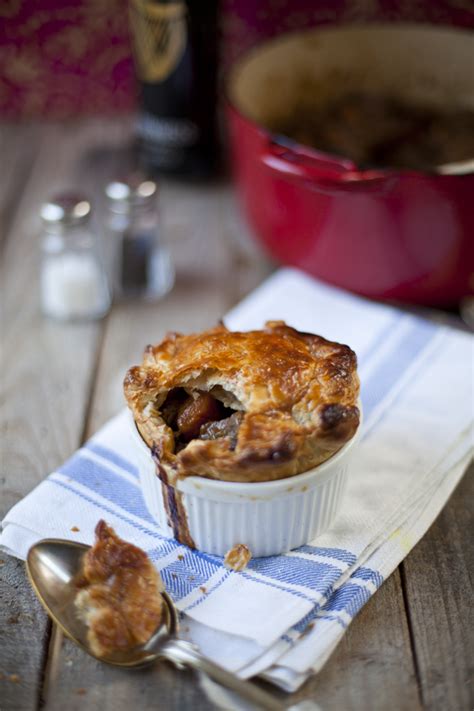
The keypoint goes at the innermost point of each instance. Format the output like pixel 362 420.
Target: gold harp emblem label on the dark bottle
pixel 159 37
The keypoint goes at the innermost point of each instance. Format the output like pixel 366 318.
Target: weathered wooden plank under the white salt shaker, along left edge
pixel 45 387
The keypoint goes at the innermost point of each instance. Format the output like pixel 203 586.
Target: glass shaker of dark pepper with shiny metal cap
pixel 142 264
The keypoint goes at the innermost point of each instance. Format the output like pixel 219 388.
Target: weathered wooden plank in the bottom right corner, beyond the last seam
pixel 438 581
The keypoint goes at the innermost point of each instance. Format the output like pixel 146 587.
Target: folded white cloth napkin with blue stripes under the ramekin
pixel 283 615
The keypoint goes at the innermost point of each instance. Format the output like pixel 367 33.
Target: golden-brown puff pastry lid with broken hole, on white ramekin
pixel 244 406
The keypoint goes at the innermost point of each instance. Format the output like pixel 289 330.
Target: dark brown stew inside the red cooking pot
pixel 380 131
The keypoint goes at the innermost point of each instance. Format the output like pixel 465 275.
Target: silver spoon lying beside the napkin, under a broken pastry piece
pixel 52 566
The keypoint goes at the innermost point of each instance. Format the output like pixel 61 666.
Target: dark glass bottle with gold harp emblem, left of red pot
pixel 175 52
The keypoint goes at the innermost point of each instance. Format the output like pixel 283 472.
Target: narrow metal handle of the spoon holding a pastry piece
pixel 183 653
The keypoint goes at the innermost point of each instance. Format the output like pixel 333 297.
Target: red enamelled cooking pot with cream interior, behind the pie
pixel 391 234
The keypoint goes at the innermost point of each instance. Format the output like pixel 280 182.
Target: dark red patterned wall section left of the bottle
pixel 64 57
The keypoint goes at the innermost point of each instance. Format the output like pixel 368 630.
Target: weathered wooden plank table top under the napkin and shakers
pixel 410 647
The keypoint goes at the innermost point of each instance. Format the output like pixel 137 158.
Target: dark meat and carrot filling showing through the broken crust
pixel 197 414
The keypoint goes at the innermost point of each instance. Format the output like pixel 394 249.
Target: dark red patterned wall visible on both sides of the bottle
pixel 60 58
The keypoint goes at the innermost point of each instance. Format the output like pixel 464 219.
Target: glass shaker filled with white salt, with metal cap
pixel 73 280
